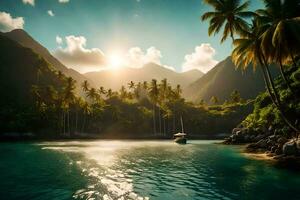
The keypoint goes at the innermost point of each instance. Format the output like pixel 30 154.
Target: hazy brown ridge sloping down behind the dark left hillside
pixel 23 38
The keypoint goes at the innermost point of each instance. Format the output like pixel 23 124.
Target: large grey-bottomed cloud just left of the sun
pixel 75 54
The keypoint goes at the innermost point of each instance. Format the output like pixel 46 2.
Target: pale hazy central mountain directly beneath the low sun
pixel 114 79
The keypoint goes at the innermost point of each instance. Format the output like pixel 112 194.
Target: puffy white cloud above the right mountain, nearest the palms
pixel 202 59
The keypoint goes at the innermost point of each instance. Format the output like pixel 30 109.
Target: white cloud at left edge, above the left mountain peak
pixel 8 23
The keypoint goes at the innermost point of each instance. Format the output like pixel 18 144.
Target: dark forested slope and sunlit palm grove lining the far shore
pixel 44 102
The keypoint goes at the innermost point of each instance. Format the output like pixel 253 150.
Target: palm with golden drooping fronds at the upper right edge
pixel 280 41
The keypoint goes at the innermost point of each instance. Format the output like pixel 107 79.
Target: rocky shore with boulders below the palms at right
pixel 283 149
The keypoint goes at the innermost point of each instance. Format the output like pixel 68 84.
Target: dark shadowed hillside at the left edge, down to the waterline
pixel 20 69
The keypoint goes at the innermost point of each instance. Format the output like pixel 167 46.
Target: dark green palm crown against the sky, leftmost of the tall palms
pixel 227 13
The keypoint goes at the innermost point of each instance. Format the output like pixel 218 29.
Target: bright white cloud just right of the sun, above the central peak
pixel 137 58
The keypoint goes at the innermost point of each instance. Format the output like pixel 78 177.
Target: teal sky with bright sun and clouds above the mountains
pixel 90 35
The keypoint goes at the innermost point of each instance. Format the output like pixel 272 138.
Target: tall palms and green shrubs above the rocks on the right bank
pixel 273 37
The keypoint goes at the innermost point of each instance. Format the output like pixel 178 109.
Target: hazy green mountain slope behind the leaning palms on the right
pixel 225 78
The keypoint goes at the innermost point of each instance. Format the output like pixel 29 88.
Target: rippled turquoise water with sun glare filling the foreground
pixel 138 170
